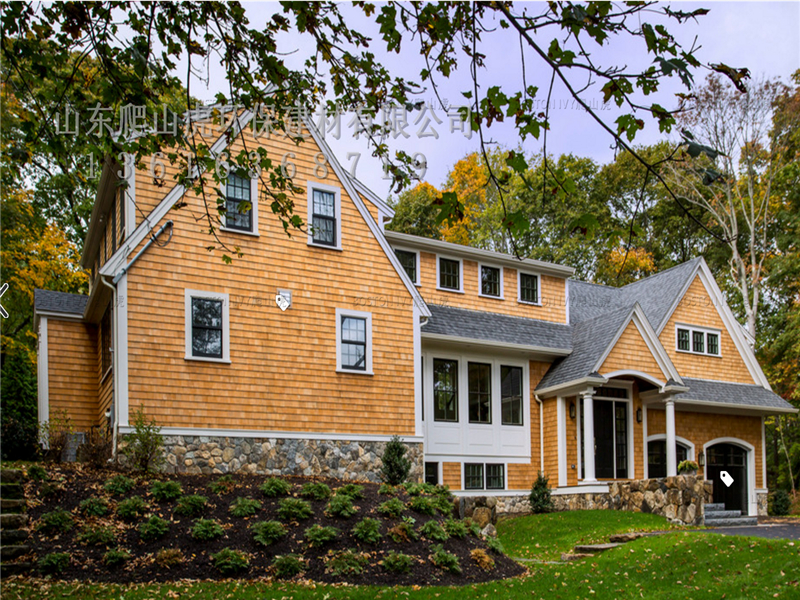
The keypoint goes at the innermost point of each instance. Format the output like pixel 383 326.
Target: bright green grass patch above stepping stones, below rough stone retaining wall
pixel 545 537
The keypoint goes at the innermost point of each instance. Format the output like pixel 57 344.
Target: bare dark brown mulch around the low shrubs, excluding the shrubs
pixel 86 562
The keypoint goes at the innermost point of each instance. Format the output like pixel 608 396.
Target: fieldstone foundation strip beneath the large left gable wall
pixel 348 460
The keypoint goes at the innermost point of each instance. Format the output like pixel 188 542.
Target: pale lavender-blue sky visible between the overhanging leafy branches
pixel 761 36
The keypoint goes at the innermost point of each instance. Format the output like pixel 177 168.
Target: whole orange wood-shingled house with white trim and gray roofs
pixel 311 351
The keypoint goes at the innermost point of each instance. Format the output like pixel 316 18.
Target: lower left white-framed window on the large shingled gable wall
pixel 207 326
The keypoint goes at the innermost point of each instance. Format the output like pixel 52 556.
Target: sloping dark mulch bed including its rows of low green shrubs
pixel 109 527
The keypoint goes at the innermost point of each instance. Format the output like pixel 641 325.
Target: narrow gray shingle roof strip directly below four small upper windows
pixel 492 327
